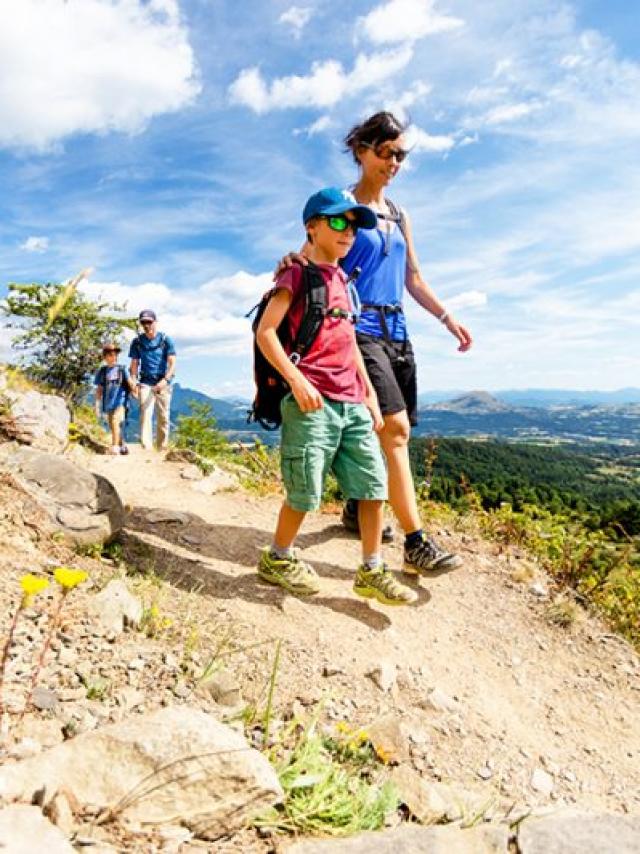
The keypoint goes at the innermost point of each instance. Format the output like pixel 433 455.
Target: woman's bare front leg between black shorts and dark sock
pixel 394 439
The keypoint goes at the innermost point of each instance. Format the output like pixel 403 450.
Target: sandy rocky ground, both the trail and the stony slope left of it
pixel 474 686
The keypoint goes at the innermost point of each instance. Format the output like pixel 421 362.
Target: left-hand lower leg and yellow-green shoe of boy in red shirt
pixel 279 563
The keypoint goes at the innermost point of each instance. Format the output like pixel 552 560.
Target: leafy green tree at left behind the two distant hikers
pixel 61 333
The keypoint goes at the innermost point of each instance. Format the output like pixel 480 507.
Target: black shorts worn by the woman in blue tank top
pixel 392 368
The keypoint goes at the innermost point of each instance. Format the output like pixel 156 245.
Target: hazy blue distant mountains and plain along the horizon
pixel 531 415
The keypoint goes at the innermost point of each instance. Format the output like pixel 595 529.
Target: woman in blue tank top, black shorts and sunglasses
pixel 387 259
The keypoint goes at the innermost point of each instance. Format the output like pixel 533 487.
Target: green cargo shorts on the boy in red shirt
pixel 338 437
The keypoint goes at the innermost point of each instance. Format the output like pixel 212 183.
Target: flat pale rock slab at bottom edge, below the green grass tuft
pixel 412 839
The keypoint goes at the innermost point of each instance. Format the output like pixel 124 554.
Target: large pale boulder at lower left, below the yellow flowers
pixel 175 765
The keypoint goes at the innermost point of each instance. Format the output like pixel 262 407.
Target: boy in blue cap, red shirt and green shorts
pixel 329 418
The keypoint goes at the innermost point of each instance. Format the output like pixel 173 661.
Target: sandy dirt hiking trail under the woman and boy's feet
pixel 493 693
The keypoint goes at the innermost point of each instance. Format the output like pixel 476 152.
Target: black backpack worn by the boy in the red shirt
pixel 271 388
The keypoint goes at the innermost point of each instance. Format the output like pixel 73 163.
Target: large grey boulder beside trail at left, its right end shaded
pixel 84 506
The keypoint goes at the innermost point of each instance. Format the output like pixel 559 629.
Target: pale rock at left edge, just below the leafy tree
pixel 41 420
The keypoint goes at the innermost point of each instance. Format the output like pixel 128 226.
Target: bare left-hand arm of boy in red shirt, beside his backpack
pixel 307 397
